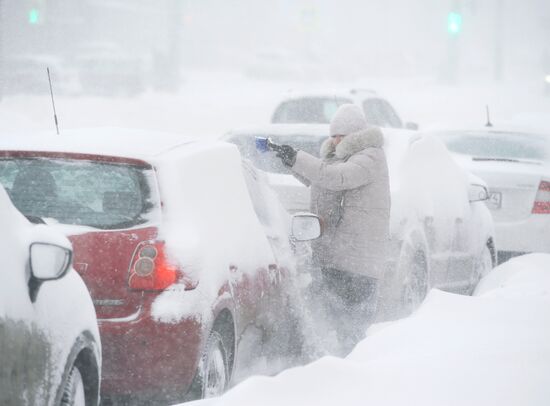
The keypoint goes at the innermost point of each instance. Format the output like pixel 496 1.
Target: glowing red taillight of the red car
pixel 151 270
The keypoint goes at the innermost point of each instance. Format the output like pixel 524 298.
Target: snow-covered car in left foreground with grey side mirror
pixel 50 351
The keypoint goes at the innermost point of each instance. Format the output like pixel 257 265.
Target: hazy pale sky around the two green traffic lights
pixel 359 37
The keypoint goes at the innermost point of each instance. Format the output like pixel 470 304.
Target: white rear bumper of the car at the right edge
pixel 530 235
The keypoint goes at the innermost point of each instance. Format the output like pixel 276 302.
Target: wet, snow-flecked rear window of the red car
pixel 95 194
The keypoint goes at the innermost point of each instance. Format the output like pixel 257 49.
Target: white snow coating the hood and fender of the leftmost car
pixel 63 309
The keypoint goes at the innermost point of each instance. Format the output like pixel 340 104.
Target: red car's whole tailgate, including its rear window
pixel 105 205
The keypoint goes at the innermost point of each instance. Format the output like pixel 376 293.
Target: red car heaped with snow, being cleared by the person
pixel 181 259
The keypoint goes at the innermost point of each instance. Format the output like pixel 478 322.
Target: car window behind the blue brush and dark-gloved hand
pixel 267 161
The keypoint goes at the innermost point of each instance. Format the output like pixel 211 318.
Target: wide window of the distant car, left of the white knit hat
pixel 308 110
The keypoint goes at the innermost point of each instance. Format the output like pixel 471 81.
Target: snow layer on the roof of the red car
pixel 123 142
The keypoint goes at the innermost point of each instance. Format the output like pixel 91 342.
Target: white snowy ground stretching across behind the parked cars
pixel 209 104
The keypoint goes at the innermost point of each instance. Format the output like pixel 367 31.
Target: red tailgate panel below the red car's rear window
pixel 102 259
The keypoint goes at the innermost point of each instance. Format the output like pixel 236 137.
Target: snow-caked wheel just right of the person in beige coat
pixel 415 286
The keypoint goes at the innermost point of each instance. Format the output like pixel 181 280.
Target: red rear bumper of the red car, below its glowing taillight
pixel 145 358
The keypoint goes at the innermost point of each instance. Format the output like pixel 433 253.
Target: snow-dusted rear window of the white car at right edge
pixel 498 145
